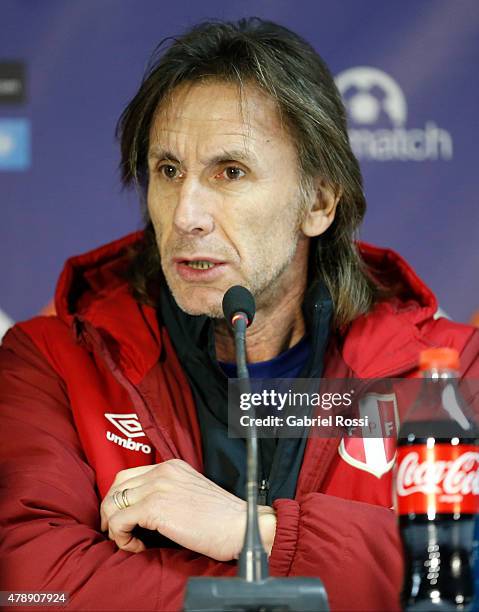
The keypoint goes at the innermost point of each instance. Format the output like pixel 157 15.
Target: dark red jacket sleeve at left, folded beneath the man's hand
pixel 49 506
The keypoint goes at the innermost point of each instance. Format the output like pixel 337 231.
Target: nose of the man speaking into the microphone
pixel 192 214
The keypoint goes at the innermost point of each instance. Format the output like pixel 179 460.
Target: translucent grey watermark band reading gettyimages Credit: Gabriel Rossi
pixel 293 408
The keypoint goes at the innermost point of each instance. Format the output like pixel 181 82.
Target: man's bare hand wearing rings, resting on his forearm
pixel 184 506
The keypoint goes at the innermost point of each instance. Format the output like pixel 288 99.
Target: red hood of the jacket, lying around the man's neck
pixel 93 288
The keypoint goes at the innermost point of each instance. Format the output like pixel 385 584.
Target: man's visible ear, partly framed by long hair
pixel 321 208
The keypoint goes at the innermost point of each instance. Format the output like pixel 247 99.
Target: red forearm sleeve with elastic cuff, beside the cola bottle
pixel 352 546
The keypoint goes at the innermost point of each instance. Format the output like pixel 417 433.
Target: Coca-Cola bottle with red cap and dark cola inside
pixel 437 489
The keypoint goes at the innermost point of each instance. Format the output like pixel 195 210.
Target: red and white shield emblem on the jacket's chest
pixel 375 451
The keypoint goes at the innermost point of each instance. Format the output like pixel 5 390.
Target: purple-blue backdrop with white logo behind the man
pixel 407 70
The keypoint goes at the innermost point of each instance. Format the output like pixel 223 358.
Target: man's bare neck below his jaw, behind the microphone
pixel 272 332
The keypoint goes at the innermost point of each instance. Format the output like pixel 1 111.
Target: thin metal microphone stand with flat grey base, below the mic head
pixel 252 590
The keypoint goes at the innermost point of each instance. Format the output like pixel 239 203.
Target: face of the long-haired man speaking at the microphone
pixel 223 196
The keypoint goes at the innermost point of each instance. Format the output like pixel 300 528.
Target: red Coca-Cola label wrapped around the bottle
pixel 441 479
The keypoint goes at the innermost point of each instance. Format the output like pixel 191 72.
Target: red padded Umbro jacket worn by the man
pixel 105 355
